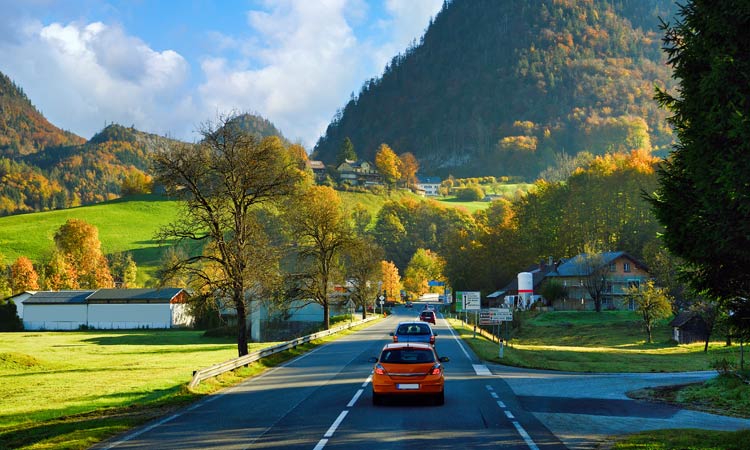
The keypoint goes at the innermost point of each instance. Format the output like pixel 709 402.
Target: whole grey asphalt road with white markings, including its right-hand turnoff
pixel 323 400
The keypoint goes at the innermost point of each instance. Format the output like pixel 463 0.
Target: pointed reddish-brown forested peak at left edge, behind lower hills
pixel 23 129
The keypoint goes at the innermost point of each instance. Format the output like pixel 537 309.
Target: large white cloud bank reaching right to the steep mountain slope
pixel 306 61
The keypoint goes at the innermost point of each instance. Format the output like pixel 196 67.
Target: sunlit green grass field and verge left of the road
pixel 69 390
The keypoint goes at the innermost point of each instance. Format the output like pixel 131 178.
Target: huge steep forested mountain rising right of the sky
pixel 499 87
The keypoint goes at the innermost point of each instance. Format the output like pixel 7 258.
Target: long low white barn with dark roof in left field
pixel 104 309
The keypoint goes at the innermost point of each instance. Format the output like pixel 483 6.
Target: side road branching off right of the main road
pixel 583 409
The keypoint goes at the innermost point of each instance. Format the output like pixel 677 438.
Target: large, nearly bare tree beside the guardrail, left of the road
pixel 221 182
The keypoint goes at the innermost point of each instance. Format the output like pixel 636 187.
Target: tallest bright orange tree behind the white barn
pixel 78 243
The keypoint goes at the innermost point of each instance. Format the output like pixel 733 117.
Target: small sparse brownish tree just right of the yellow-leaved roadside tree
pixel 363 272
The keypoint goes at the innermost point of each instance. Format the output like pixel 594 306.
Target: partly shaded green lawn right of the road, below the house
pixel 610 341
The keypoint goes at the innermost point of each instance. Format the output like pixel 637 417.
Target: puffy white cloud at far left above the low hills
pixel 83 76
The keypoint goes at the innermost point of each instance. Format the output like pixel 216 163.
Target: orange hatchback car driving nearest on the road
pixel 408 369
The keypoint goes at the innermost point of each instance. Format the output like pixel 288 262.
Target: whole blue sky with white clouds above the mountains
pixel 168 66
